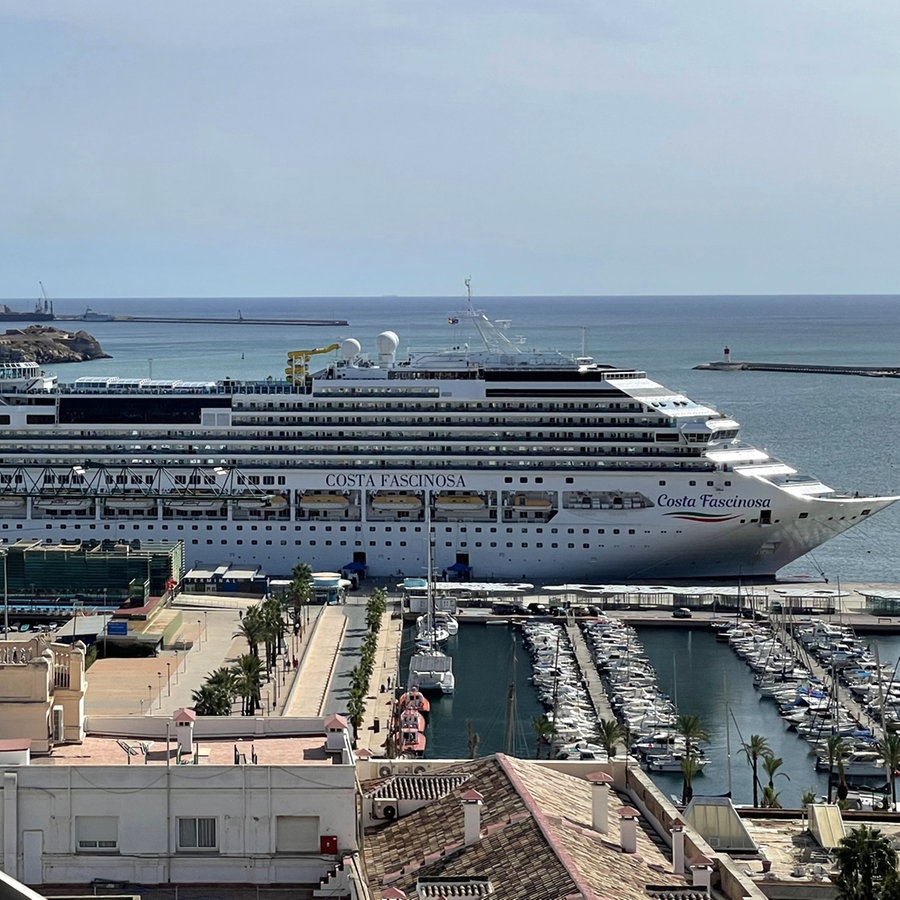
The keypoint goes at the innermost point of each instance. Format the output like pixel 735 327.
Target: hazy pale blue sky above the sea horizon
pixel 313 148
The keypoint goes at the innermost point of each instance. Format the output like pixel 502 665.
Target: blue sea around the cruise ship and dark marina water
pixel 840 428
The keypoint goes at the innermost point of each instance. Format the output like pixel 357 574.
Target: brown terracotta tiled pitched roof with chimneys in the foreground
pixel 536 839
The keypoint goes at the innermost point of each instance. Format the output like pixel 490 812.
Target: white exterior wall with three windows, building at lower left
pixel 42 803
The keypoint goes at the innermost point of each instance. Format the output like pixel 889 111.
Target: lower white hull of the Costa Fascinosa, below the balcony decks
pixel 691 540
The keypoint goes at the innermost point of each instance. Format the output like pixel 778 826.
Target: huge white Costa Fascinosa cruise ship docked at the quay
pixel 527 464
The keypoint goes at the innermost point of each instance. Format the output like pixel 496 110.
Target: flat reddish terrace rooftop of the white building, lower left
pixel 97 750
